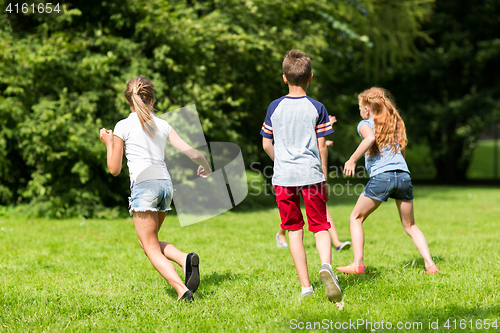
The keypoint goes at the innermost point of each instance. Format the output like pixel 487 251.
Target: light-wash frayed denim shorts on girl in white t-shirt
pixel 151 195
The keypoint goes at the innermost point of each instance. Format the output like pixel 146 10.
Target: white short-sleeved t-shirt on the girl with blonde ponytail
pixel 145 157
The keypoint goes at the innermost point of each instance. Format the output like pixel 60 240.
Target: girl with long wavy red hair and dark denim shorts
pixel 383 142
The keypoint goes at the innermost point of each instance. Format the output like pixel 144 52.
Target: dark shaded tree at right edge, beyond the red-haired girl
pixel 450 91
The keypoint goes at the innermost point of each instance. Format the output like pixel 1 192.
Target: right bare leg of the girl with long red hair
pixel 405 209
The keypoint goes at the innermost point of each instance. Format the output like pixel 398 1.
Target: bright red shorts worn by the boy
pixel 288 199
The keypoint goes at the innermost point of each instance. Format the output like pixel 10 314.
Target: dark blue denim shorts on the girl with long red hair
pixel 390 184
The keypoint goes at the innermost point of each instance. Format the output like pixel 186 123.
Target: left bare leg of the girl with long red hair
pixel 364 207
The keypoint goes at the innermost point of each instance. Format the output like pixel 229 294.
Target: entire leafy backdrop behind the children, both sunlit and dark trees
pixel 63 80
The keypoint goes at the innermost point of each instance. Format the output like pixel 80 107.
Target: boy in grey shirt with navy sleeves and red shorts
pixel 298 125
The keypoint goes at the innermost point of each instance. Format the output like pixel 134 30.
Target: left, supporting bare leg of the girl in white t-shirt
pixel 147 226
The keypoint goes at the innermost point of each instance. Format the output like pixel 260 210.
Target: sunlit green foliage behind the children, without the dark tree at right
pixel 61 82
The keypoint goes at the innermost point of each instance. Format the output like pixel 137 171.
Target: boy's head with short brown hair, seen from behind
pixel 297 67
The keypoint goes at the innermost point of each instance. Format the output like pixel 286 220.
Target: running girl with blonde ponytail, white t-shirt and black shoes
pixel 143 136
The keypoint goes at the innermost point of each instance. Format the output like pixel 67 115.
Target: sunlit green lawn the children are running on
pixel 80 276
